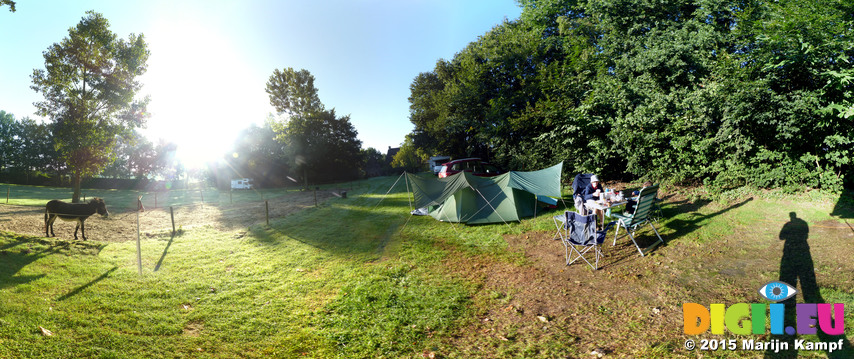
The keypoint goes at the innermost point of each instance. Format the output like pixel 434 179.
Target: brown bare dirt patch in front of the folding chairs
pixel 571 304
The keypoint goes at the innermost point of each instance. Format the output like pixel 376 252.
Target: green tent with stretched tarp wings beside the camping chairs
pixel 467 198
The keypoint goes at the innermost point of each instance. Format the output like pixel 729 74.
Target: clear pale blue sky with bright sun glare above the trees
pixel 210 60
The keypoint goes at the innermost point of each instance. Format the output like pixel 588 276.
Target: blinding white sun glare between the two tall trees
pixel 203 92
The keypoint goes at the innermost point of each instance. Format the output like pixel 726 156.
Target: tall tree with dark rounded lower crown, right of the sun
pixel 319 144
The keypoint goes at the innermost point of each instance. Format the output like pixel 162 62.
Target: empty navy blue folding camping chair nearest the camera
pixel 579 236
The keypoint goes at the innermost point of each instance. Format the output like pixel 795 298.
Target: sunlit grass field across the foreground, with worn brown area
pixel 358 277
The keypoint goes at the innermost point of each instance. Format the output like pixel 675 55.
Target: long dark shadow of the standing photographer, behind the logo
pixel 798 270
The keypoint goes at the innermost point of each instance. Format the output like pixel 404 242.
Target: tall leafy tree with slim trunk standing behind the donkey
pixel 89 84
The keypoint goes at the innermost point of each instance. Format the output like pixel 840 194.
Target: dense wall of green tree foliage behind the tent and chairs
pixel 717 91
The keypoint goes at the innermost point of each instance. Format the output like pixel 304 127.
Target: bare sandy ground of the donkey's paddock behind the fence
pixel 121 226
